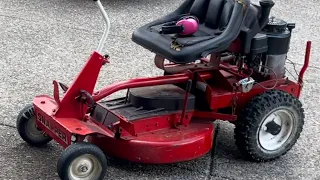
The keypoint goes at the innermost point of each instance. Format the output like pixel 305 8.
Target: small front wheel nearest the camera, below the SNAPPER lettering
pixel 82 161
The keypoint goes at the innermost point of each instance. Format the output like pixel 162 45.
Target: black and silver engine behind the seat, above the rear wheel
pixel 270 47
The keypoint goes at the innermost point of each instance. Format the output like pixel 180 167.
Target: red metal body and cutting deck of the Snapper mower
pixel 174 137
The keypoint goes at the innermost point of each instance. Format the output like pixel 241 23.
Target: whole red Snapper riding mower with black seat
pixel 222 60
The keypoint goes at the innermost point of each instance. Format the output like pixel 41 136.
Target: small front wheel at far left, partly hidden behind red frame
pixel 28 130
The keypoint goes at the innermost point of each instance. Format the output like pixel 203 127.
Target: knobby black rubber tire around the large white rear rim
pixel 248 120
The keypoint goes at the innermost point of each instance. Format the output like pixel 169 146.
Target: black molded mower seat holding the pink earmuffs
pixel 220 23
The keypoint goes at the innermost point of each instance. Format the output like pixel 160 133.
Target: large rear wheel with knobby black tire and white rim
pixel 269 126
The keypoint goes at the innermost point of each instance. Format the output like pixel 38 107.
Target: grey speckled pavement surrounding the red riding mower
pixel 45 40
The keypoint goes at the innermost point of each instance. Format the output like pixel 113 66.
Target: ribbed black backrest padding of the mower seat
pixel 214 14
